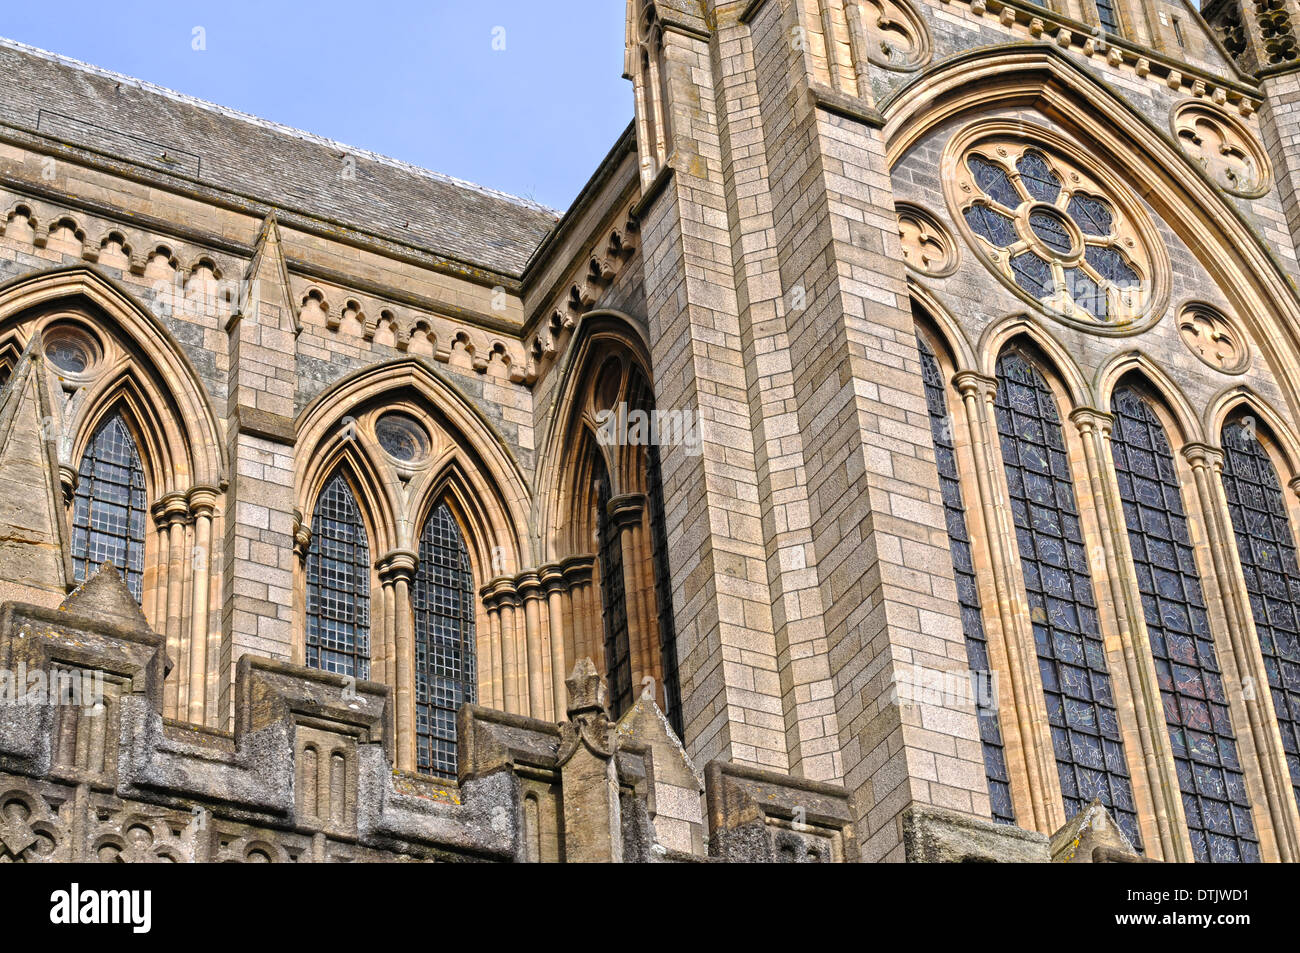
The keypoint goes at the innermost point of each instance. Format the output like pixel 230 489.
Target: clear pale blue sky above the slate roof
pixel 417 80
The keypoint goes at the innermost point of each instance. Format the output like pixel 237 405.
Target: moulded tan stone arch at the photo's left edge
pixel 151 376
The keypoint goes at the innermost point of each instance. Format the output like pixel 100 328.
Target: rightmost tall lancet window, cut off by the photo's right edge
pixel 1272 574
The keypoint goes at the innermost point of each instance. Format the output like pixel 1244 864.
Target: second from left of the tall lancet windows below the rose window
pixel 1059 586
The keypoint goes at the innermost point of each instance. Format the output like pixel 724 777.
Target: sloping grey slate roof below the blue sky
pixel 287 168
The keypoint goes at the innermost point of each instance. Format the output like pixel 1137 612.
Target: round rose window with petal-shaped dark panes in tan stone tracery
pixel 1055 235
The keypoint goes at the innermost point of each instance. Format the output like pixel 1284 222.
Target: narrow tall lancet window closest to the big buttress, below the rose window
pixel 968 591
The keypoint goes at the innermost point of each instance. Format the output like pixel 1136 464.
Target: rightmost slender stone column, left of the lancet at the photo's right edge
pixel 1207 465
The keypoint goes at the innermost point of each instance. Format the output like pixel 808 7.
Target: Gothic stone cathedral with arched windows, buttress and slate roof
pixel 892 456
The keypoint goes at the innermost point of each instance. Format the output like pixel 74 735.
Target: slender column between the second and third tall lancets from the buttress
pixel 1158 761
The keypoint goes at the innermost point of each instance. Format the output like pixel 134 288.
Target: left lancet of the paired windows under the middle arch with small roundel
pixel 339 586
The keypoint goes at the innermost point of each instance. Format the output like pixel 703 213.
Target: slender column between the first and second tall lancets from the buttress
pixel 978 395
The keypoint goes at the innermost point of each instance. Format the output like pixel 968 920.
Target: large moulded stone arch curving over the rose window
pixel 1046 80
